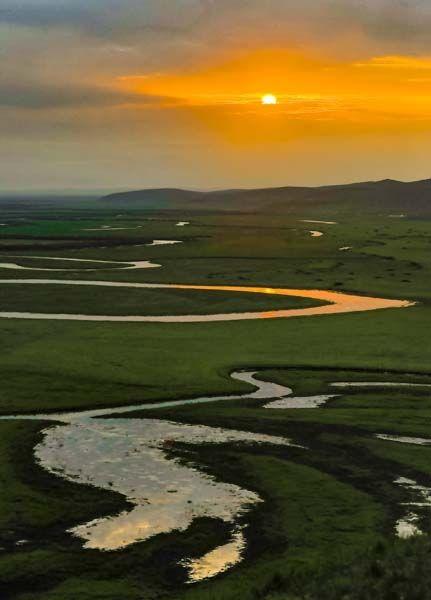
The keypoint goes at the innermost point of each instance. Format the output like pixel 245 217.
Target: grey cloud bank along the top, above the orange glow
pixel 58 40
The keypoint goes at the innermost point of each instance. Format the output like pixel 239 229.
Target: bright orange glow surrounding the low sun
pixel 317 96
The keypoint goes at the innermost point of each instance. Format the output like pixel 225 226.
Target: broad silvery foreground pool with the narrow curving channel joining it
pixel 134 457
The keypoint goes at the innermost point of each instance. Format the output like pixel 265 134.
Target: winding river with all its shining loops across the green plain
pixel 133 456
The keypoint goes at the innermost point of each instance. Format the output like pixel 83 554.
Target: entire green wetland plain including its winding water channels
pixel 176 434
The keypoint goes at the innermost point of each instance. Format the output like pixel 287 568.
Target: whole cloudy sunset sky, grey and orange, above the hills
pixel 126 94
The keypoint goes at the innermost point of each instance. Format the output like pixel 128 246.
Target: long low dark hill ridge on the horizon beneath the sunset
pixel 413 198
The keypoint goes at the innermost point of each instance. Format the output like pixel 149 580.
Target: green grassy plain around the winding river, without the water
pixel 326 528
